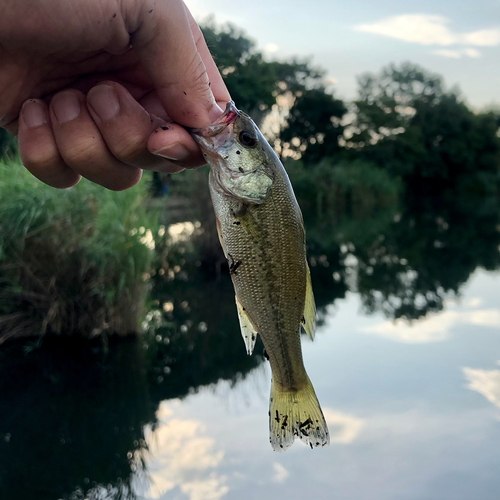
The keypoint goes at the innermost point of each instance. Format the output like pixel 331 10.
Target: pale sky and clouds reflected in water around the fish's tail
pixel 414 413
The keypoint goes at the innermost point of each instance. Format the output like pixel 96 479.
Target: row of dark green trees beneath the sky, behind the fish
pixel 404 120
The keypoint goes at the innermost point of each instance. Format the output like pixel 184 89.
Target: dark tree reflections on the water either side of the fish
pixel 73 415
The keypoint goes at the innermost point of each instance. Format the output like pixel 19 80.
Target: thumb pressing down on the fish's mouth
pixel 173 52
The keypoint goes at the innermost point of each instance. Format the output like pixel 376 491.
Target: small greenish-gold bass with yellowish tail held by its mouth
pixel 261 232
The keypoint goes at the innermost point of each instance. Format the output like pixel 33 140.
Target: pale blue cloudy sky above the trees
pixel 459 39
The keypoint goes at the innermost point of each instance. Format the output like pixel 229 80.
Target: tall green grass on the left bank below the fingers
pixel 70 260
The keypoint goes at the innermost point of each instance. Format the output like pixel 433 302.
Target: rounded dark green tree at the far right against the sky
pixel 408 124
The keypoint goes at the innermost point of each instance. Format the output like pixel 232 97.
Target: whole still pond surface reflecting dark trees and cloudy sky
pixel 413 407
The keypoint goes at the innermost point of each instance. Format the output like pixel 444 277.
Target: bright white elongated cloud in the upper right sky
pixel 428 29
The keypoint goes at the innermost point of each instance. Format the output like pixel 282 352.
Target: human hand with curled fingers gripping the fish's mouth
pixel 102 89
